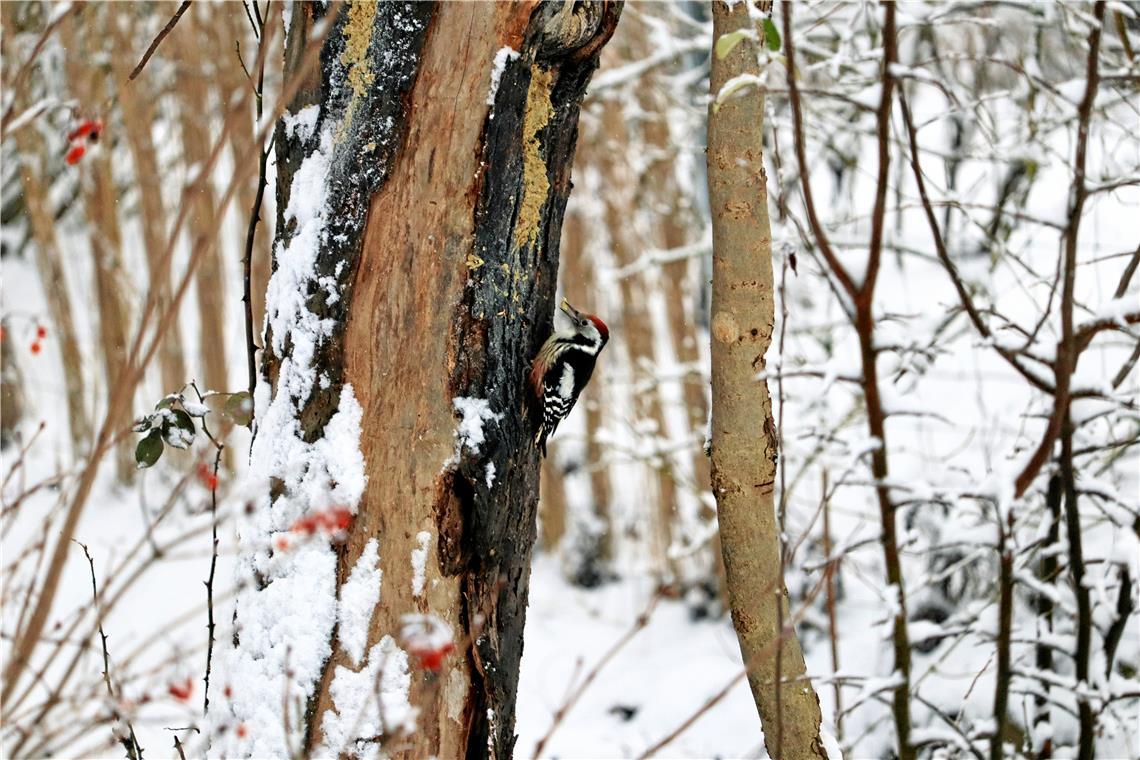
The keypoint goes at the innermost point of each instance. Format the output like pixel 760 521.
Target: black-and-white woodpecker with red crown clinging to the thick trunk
pixel 564 367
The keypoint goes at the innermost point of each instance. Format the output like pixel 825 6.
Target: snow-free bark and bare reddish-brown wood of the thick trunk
pixel 443 252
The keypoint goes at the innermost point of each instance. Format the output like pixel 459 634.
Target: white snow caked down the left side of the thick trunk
pixel 288 608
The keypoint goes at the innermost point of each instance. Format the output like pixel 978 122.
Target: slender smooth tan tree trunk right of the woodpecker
pixel 745 445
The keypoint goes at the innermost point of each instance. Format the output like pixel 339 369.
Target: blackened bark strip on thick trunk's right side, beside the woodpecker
pixel 528 149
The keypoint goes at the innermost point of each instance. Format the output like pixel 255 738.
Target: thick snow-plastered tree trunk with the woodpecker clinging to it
pixel 421 231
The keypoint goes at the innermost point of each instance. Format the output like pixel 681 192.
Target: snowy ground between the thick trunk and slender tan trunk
pixel 653 685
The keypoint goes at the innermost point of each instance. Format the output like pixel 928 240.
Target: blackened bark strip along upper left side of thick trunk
pixel 372 120
